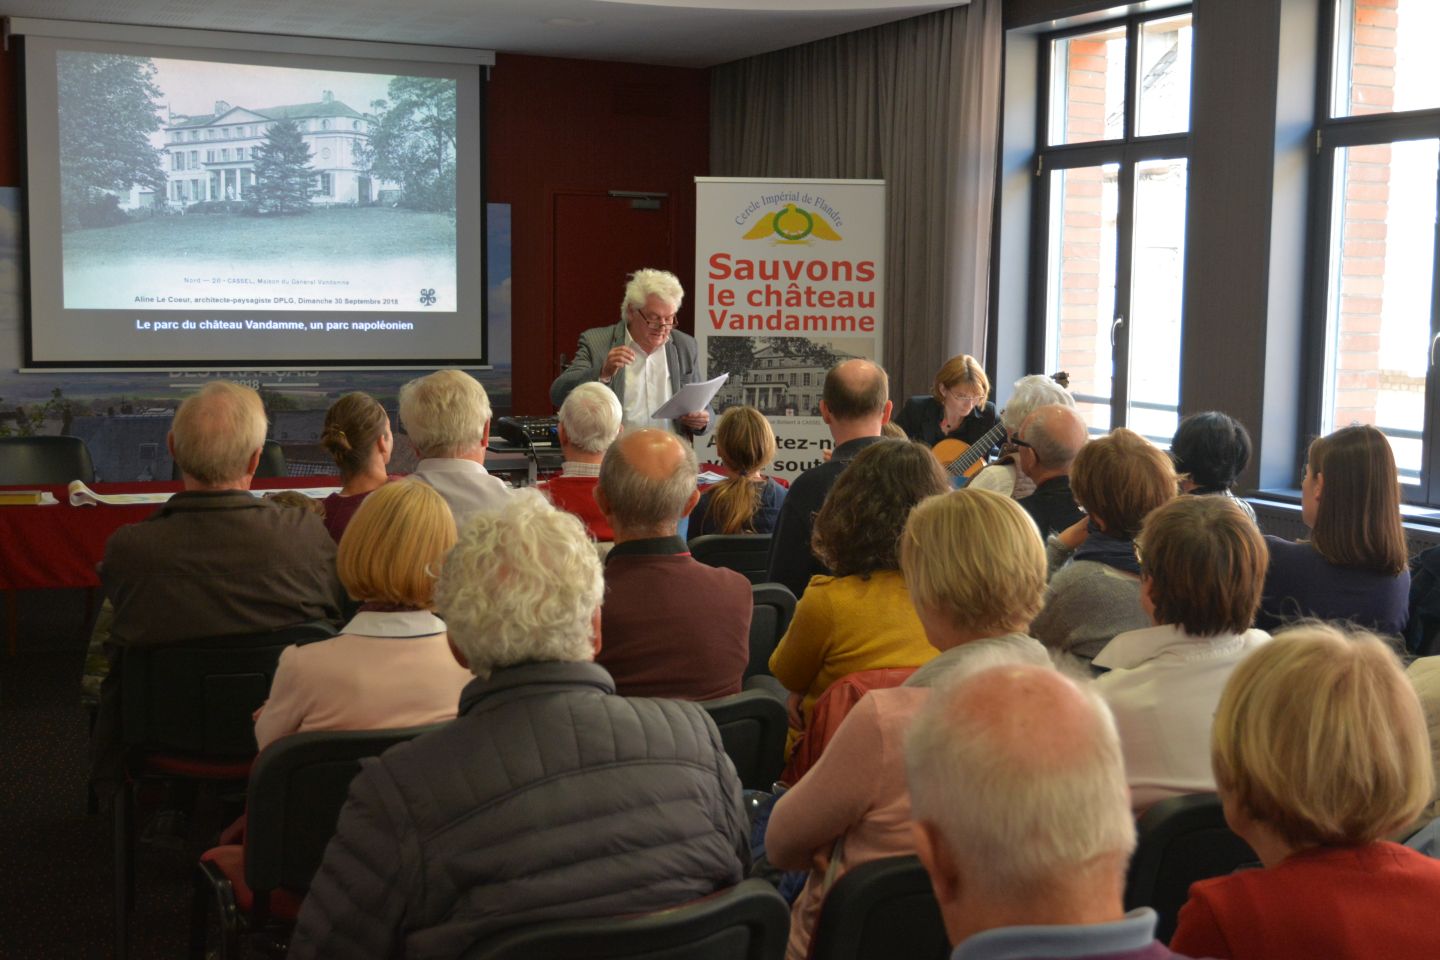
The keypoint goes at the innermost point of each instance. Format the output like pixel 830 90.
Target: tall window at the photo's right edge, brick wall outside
pixel 1373 293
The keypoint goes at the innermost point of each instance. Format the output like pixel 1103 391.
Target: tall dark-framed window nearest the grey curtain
pixel 1111 184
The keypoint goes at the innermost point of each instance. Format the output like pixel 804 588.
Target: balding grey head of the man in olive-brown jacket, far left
pixel 217 431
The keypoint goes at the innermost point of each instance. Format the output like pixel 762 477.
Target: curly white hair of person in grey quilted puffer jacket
pixel 522 587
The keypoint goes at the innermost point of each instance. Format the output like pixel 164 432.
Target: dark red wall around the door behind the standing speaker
pixel 585 124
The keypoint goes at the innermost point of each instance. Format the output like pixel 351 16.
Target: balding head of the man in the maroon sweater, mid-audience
pixel 647 484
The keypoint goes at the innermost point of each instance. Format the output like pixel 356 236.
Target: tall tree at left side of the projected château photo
pixel 109 110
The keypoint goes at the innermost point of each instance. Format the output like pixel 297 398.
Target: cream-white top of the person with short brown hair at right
pixel 1164 687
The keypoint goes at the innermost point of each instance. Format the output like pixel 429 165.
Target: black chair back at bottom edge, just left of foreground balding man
pixel 881 910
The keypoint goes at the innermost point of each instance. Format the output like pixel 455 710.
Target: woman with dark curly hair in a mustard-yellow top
pixel 860 618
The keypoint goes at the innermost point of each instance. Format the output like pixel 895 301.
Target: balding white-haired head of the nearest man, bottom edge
pixel 1017 823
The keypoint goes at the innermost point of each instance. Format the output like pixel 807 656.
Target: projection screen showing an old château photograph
pixel 208 208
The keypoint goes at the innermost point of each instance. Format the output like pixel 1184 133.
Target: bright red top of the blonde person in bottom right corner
pixel 1333 903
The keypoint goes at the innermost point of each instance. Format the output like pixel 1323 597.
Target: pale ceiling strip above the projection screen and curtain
pixel 663 32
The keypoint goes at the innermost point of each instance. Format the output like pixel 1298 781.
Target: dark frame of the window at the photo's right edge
pixel 1330 136
